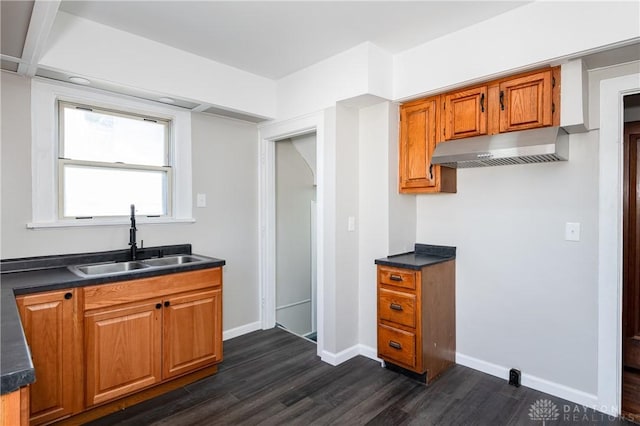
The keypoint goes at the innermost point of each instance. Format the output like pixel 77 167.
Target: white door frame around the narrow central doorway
pixel 269 133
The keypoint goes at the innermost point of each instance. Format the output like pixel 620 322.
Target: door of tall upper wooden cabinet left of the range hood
pixel 417 142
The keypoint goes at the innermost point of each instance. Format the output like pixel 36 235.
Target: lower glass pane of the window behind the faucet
pixel 102 191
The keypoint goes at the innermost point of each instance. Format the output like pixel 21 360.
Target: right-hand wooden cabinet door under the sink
pixel 192 332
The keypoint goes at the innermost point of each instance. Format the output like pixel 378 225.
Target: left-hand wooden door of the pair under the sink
pixel 123 348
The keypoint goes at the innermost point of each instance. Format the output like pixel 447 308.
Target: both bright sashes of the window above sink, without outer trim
pixel 109 160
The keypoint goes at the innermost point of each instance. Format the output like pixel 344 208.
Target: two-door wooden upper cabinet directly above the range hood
pixel 521 102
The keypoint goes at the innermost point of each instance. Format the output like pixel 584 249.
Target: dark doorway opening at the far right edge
pixel 631 260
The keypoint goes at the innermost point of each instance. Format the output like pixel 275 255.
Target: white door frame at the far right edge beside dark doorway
pixel 612 92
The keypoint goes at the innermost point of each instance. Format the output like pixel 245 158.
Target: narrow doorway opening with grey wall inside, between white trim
pixel 295 235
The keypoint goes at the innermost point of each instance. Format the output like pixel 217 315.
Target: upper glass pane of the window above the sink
pixel 111 138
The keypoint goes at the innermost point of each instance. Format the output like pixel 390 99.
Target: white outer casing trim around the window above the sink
pixel 44 152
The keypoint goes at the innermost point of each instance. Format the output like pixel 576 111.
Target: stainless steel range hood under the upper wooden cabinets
pixel 542 145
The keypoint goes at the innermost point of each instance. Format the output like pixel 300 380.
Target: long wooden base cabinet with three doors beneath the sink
pixel 97 344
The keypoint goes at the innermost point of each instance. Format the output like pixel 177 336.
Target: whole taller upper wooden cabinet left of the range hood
pixel 418 135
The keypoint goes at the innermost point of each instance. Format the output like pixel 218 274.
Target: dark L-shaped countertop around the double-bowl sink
pixel 33 275
